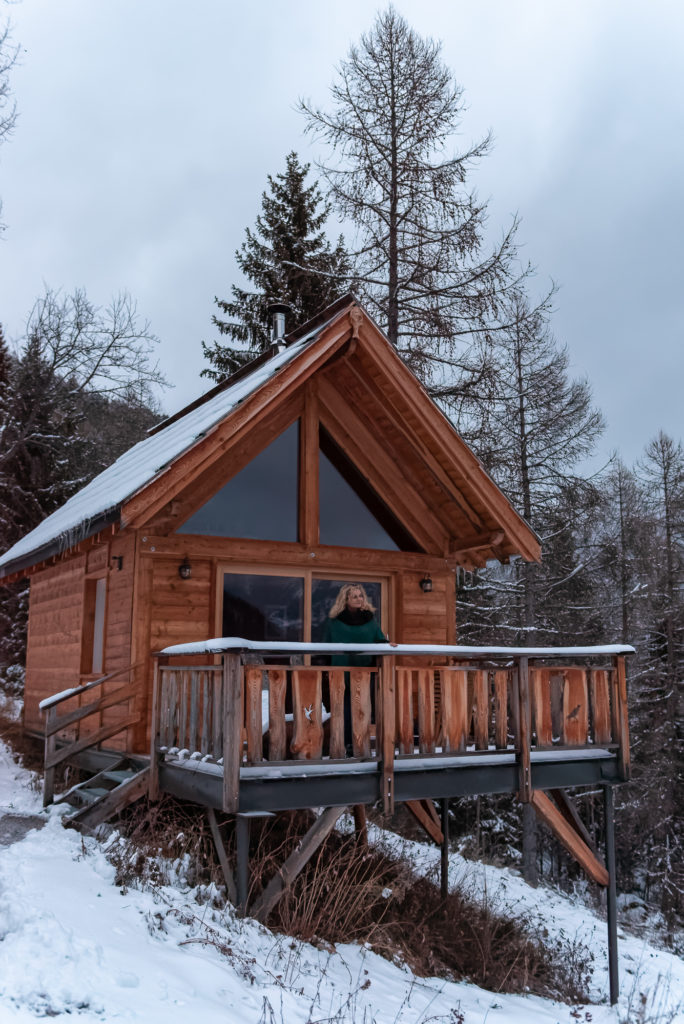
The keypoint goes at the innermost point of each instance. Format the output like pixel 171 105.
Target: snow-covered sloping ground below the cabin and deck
pixel 72 943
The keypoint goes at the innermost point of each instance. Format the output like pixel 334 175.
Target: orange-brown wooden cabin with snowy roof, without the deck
pixel 323 462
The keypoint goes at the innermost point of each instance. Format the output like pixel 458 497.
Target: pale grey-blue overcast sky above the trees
pixel 147 130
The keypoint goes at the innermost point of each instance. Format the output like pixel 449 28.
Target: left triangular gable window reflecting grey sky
pixel 262 501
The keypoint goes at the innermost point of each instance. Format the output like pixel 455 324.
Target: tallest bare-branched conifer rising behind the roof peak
pixel 422 264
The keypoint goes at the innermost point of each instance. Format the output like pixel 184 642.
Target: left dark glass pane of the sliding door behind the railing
pixel 261 608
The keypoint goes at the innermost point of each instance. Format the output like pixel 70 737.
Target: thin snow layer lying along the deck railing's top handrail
pixel 220 645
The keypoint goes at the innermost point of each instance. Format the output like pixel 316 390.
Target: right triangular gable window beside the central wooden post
pixel 351 514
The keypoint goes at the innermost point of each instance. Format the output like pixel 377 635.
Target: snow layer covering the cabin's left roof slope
pixel 140 465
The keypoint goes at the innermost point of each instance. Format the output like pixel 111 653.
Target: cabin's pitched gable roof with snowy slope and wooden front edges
pixel 120 492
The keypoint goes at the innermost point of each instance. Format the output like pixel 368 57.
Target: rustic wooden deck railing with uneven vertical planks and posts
pixel 473 701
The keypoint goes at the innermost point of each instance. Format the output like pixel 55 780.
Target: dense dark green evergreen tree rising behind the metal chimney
pixel 288 259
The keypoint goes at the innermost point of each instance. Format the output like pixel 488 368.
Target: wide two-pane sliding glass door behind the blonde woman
pixel 261 607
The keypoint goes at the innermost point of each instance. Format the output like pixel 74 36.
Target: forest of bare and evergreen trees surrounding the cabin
pixel 472 320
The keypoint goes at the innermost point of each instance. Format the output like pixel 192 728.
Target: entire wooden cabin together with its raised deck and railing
pixel 324 461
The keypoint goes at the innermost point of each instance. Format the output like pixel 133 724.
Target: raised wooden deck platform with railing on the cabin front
pixel 246 739
